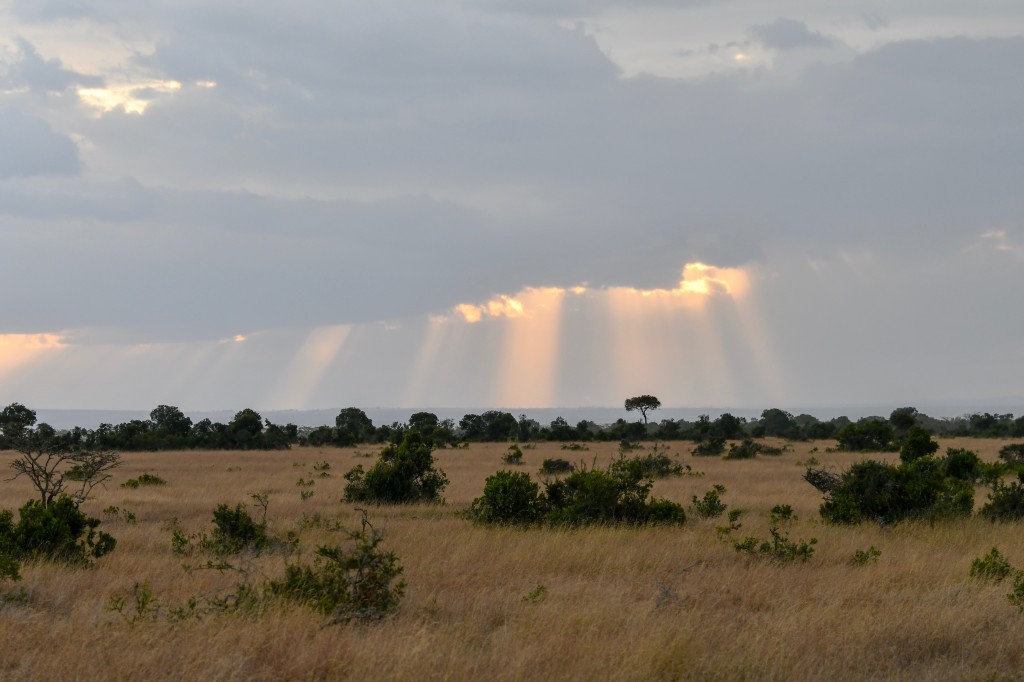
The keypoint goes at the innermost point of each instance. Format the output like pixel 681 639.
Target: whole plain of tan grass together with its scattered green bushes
pixel 241 566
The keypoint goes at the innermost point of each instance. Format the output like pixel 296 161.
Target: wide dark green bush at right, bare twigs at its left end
pixel 886 493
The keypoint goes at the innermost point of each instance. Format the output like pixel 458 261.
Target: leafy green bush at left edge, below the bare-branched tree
pixel 57 533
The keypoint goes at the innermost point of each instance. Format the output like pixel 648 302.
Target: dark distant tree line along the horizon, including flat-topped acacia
pixel 169 429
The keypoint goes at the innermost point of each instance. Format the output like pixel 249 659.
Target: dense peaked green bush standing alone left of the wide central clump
pixel 403 475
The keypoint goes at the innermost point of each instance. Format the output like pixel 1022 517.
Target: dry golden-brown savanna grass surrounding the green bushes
pixel 503 604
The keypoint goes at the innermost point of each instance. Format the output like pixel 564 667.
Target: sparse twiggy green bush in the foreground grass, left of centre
pixel 358 584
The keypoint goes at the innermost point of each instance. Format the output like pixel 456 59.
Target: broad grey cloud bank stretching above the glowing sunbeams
pixel 373 162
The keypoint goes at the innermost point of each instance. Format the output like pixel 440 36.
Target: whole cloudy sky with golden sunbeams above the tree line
pixel 510 203
